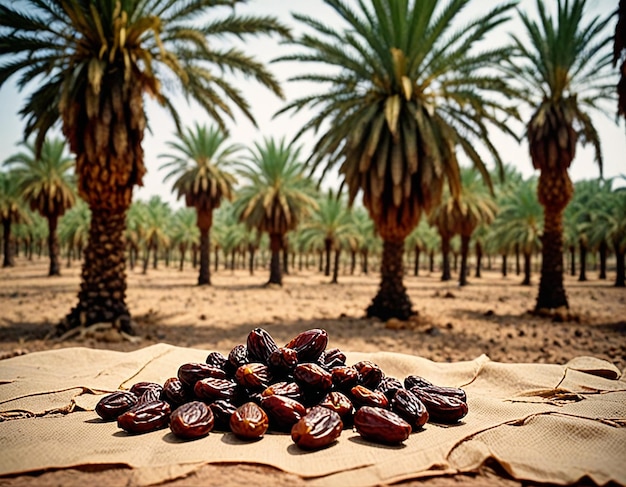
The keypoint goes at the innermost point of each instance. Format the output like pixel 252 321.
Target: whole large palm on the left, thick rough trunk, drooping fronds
pixel 92 63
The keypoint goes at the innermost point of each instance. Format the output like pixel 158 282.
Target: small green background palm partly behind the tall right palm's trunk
pixel 519 223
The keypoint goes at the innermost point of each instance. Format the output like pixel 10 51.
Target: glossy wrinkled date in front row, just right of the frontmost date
pixel 381 425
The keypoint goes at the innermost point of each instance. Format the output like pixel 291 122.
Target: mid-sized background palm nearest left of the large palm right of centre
pixel 276 195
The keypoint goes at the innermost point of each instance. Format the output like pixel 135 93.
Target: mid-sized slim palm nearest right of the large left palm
pixel 199 164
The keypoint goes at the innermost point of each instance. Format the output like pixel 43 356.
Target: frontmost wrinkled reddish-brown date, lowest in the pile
pixel 317 429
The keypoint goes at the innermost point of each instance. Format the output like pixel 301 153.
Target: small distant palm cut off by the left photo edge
pixel 12 211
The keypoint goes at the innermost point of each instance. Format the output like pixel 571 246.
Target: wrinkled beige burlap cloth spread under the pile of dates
pixel 545 423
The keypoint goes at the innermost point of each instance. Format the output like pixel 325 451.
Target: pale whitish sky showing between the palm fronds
pixel 265 104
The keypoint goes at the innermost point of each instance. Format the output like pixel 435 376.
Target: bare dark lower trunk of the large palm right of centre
pixel 392 300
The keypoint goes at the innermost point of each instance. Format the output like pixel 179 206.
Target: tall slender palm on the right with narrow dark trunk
pixel 563 67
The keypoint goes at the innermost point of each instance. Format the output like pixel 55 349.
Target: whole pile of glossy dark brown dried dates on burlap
pixel 302 388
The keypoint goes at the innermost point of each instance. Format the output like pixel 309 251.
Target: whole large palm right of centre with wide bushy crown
pixel 403 87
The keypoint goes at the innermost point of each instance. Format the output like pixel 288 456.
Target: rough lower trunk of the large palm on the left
pixel 103 285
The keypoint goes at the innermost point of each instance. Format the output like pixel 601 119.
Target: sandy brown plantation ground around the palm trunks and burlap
pixel 489 316
